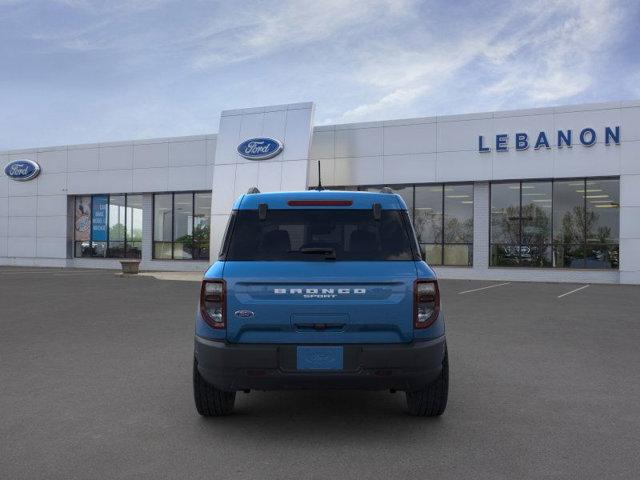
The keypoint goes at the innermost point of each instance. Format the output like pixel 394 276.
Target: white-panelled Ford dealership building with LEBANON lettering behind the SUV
pixel 548 194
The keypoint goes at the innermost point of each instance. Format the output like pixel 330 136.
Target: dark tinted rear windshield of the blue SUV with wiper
pixel 319 234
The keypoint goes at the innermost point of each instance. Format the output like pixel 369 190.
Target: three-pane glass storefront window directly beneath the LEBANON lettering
pixel 563 224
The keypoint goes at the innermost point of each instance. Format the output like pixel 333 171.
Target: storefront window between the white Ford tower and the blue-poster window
pixel 181 225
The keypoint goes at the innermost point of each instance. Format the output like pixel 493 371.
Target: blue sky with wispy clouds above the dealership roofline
pixel 80 71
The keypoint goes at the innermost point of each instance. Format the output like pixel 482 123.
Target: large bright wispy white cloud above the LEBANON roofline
pixel 541 53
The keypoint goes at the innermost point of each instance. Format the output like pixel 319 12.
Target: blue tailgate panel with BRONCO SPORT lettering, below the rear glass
pixel 319 302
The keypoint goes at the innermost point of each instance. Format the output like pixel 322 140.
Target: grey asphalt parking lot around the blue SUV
pixel 95 382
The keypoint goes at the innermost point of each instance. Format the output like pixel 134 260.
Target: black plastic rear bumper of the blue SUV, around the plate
pixel 273 367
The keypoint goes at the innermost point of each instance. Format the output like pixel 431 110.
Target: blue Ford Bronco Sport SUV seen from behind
pixel 315 290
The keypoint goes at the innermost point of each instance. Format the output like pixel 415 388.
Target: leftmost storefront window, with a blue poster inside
pixel 108 226
